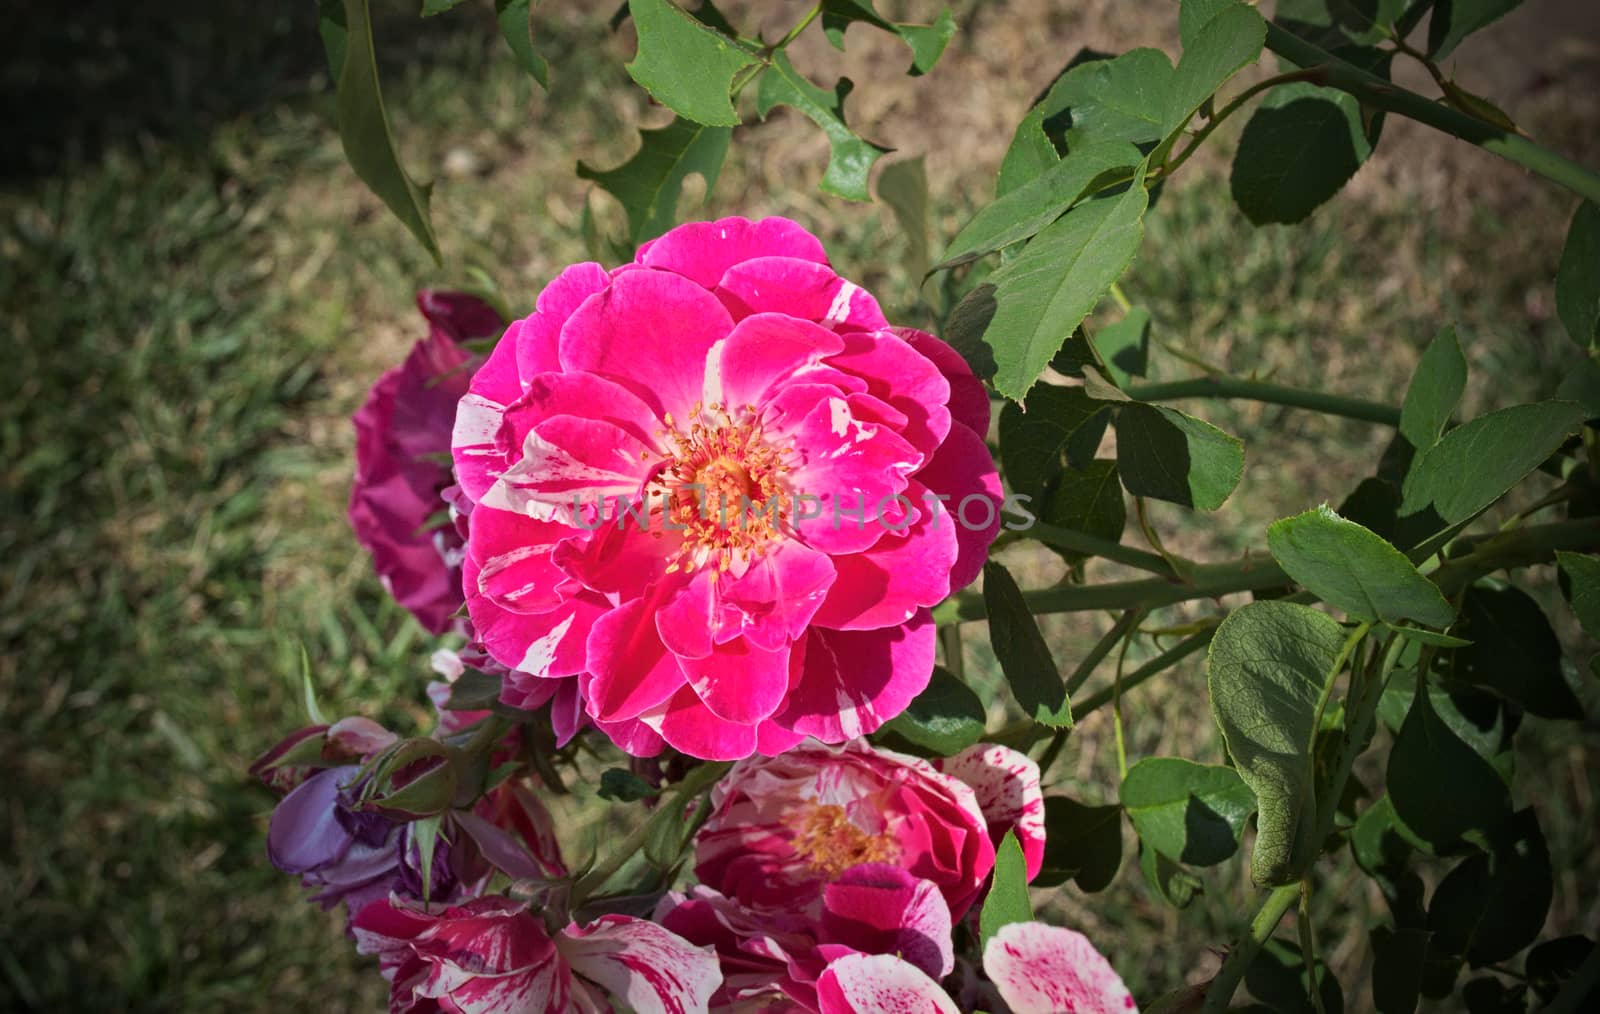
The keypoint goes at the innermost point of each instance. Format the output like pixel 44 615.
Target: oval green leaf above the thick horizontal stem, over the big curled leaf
pixel 1351 569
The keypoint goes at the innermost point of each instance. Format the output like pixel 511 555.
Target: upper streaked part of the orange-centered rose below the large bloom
pixel 785 828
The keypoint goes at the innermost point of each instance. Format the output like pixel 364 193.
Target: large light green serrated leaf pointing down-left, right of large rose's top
pixel 1044 295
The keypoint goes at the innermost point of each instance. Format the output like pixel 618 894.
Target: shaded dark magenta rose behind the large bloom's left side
pixel 402 445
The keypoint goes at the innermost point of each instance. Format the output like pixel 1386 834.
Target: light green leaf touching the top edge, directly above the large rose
pixel 684 65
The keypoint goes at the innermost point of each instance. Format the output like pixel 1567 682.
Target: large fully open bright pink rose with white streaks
pixel 719 489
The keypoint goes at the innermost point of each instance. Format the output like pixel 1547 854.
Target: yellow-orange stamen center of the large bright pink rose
pixel 724 490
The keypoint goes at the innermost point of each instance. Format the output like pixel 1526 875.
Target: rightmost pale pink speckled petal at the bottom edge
pixel 1042 970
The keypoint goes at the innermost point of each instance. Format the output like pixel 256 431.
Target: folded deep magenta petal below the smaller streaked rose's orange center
pixel 886 911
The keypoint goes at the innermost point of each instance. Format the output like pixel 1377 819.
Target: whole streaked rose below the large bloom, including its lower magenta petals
pixel 834 852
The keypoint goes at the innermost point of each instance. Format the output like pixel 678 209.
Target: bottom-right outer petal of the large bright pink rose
pixel 855 681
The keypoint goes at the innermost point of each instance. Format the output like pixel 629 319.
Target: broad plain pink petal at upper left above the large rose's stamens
pixel 650 332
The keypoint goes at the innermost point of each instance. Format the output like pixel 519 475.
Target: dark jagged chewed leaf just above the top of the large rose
pixel 649 185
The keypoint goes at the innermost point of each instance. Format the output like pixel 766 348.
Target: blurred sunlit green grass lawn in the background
pixel 196 313
